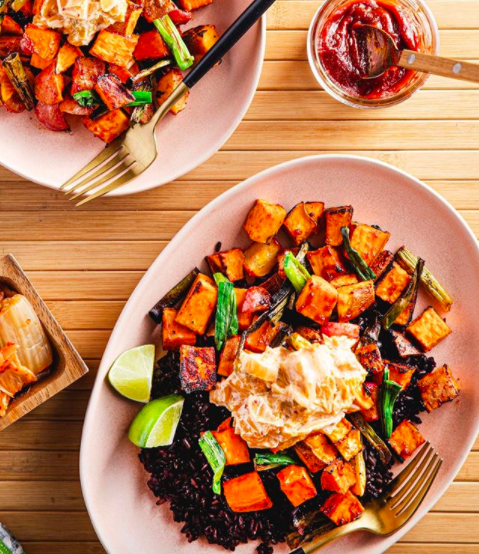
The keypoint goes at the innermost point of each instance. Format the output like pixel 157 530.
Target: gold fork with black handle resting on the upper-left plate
pixel 129 155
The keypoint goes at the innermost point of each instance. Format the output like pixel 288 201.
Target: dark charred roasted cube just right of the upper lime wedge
pixel 197 368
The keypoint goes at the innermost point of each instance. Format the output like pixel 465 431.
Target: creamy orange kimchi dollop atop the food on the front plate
pixel 279 397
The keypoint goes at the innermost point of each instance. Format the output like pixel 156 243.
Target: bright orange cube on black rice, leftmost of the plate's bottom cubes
pixel 246 493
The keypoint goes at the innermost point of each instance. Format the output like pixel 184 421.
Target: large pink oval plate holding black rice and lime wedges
pixel 121 507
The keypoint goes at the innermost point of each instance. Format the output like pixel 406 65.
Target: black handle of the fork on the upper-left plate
pixel 227 40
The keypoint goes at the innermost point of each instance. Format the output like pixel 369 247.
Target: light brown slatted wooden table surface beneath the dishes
pixel 86 262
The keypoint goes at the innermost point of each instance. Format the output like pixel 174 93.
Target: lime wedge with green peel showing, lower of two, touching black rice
pixel 156 423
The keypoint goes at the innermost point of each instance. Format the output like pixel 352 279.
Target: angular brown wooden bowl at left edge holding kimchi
pixel 67 366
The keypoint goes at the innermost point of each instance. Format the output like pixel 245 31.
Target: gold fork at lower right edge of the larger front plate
pixel 390 512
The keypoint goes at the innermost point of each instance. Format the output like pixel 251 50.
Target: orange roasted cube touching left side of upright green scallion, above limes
pixel 199 305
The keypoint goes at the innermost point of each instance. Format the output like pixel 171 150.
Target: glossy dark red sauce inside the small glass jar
pixel 338 48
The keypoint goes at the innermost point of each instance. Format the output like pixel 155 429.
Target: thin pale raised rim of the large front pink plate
pixel 428 503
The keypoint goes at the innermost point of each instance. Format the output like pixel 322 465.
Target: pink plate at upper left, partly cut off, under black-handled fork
pixel 215 108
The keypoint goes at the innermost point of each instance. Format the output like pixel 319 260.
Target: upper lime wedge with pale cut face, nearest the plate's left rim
pixel 132 373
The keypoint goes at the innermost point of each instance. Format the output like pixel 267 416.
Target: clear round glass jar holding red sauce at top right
pixel 428 33
